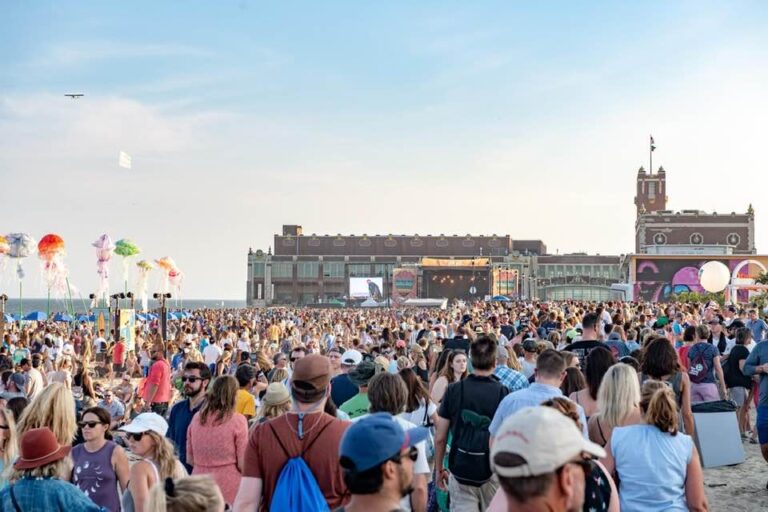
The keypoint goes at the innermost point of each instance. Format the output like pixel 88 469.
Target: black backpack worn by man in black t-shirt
pixel 469 460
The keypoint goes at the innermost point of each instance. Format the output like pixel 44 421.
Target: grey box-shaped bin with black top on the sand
pixel 717 436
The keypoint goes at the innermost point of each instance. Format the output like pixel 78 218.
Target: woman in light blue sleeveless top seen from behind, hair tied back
pixel 658 455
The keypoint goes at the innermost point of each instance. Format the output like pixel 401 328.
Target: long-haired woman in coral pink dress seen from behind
pixel 223 459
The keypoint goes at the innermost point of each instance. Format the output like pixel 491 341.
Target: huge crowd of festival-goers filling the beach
pixel 557 406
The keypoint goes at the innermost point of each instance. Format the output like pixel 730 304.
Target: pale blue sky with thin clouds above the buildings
pixel 522 118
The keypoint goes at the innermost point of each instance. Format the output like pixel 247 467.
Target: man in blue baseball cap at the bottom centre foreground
pixel 377 458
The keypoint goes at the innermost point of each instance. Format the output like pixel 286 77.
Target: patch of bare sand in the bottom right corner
pixel 740 487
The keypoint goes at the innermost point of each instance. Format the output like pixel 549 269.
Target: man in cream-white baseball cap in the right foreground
pixel 541 459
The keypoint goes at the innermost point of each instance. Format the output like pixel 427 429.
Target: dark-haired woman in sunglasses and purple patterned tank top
pixel 99 463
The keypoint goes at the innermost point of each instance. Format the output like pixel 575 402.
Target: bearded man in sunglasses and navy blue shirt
pixel 195 379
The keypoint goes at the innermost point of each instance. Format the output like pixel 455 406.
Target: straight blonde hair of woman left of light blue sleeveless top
pixel 619 393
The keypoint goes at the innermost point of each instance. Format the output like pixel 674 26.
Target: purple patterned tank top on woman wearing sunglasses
pixel 94 475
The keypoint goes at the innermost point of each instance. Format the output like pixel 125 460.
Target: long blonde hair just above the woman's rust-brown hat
pixel 54 408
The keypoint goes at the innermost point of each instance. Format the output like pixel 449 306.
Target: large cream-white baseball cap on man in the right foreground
pixel 544 437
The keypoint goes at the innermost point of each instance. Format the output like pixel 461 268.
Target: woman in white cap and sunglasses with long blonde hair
pixel 146 439
